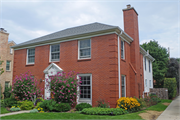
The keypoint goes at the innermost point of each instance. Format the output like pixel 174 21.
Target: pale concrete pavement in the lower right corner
pixel 172 112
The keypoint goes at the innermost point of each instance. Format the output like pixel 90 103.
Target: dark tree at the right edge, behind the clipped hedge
pixel 173 70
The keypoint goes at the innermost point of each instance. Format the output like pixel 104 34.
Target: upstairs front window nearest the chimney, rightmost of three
pixel 84 49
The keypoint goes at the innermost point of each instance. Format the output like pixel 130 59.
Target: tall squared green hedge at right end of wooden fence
pixel 170 84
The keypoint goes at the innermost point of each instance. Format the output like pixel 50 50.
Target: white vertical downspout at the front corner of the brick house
pixel 119 73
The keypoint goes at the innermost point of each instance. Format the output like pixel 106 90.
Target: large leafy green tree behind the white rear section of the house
pixel 161 60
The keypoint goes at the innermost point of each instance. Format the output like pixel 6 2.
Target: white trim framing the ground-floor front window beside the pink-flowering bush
pixel 85 100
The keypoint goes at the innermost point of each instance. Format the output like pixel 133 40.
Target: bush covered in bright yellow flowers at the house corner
pixel 130 104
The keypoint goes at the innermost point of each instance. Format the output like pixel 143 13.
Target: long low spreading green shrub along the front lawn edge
pixel 103 111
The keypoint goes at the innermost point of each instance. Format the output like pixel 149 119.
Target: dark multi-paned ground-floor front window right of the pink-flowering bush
pixel 85 87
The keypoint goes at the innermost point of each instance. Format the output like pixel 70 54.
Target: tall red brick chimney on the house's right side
pixel 131 28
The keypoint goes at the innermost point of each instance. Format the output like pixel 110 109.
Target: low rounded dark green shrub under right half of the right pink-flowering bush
pixel 62 107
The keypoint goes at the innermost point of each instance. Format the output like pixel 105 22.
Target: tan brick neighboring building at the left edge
pixel 6 55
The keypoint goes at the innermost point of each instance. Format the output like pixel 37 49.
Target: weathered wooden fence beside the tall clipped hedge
pixel 162 93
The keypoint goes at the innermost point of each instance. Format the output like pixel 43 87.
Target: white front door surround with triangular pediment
pixel 51 70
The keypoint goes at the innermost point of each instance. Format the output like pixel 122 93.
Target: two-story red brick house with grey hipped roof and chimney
pixel 107 58
